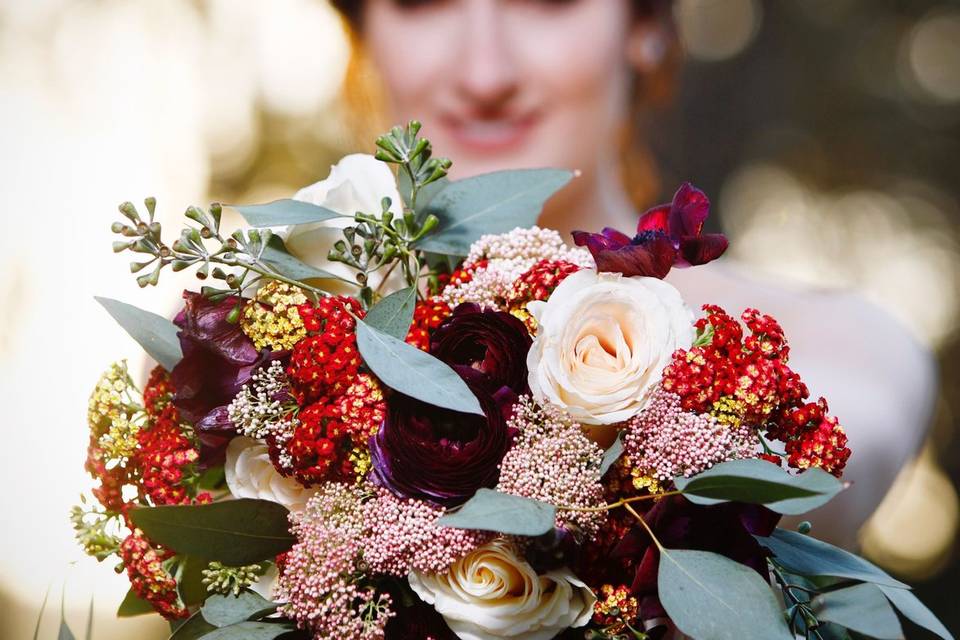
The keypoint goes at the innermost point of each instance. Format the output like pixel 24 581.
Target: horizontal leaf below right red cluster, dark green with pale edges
pixel 759 482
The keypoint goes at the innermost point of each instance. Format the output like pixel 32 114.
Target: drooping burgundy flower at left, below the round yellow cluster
pixel 218 359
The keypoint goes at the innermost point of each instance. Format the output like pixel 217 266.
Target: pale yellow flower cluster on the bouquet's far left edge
pixel 114 414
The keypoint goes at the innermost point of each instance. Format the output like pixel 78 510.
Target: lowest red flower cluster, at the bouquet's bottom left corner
pixel 148 577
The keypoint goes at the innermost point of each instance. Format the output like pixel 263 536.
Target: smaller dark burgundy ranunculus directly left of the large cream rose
pixel 492 342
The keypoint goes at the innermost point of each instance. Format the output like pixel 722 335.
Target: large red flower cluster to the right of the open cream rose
pixel 746 380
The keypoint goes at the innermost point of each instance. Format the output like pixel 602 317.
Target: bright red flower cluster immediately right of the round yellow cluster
pixel 326 361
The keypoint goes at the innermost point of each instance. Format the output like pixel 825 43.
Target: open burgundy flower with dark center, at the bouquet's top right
pixel 669 235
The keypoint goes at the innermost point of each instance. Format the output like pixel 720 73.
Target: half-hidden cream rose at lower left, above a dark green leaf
pixel 250 474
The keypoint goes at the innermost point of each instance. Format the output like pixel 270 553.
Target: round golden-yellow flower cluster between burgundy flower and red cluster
pixel 271 319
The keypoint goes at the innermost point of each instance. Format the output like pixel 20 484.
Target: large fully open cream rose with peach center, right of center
pixel 602 343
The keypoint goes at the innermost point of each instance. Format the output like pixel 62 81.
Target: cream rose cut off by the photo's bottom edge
pixel 492 593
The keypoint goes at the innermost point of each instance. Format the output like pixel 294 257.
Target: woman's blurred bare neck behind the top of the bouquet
pixel 593 200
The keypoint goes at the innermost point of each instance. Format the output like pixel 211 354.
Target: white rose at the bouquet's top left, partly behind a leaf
pixel 357 183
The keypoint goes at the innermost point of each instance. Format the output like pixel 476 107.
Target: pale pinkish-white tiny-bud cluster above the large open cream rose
pixel 507 257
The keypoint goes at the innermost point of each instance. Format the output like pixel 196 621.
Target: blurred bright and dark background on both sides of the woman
pixel 827 132
